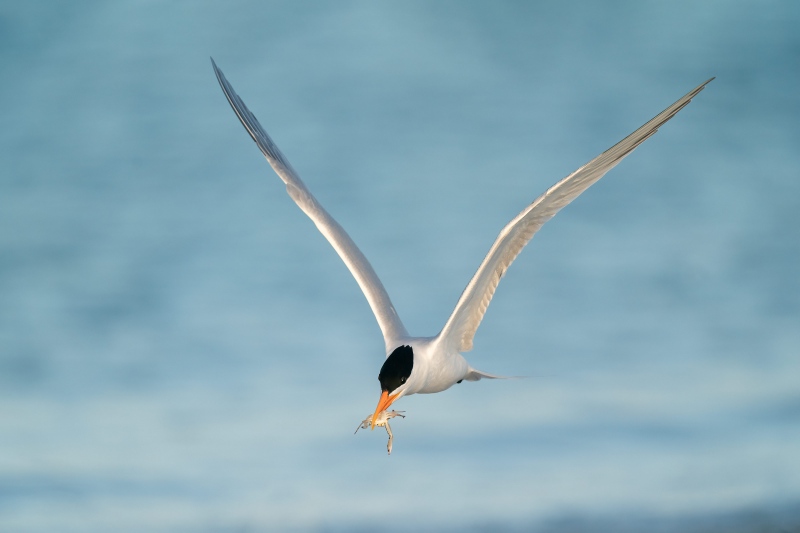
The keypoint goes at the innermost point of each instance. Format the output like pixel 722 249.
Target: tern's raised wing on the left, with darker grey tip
pixel 388 320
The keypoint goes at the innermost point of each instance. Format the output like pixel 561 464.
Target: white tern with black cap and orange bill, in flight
pixel 423 365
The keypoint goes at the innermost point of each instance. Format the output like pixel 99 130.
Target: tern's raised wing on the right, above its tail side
pixel 462 324
